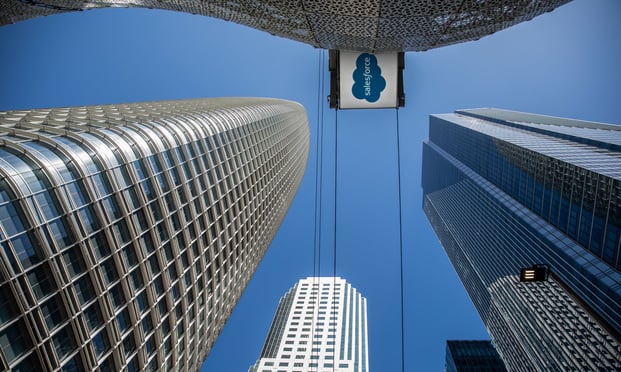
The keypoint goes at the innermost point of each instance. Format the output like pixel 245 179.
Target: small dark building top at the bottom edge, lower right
pixel 472 356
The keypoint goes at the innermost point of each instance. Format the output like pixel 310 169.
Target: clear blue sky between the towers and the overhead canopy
pixel 563 63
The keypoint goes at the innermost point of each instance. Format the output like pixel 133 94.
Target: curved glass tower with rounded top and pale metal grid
pixel 128 232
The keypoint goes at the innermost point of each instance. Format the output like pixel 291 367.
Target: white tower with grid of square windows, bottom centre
pixel 320 325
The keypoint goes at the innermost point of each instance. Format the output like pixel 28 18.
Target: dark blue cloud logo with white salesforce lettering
pixel 368 80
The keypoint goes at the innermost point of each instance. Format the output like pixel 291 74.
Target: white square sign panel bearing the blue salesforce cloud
pixel 368 80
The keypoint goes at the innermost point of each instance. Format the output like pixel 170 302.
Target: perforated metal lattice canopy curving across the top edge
pixel 373 25
